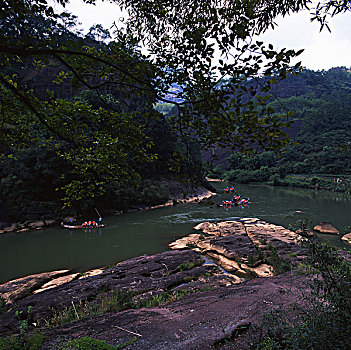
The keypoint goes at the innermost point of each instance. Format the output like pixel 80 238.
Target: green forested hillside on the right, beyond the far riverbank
pixel 320 135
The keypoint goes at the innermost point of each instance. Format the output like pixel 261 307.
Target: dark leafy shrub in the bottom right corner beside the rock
pixel 325 320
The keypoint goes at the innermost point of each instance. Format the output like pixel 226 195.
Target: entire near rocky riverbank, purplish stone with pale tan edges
pixel 211 289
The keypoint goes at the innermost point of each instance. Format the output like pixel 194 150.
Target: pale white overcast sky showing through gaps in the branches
pixel 323 50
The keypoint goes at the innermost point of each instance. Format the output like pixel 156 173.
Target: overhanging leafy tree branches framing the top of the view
pixel 182 38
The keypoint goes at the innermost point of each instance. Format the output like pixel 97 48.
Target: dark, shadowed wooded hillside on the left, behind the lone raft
pixel 46 172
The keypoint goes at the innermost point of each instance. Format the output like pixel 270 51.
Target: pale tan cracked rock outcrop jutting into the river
pixel 240 245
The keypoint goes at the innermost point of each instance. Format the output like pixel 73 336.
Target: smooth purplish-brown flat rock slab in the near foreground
pixel 197 321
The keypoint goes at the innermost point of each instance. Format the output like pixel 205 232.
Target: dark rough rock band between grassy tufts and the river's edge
pixel 146 274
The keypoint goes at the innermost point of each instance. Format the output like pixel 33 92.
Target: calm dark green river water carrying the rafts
pixel 148 232
